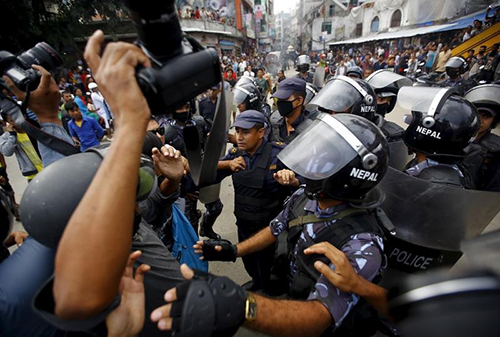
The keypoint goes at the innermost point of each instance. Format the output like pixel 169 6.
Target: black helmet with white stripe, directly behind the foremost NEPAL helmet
pixel 346 95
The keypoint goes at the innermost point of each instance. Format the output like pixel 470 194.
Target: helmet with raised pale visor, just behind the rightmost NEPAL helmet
pixel 387 83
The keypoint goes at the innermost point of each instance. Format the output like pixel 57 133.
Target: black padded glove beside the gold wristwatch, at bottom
pixel 208 305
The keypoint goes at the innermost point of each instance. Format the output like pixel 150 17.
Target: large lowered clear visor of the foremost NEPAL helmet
pixel 317 153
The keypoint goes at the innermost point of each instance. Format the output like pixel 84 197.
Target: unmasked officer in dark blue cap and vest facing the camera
pixel 258 195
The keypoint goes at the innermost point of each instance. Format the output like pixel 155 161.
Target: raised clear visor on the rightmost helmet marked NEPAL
pixel 417 98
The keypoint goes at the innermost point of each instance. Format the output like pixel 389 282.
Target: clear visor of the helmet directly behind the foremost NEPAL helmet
pixel 336 96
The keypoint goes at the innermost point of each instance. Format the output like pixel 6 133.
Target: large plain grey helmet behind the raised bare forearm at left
pixel 53 195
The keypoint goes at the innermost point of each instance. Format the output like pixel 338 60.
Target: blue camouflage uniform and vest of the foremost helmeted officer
pixel 353 231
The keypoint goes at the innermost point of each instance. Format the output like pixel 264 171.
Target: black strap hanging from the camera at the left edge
pixel 10 107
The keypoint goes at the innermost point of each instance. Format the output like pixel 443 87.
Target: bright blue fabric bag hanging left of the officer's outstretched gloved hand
pixel 184 239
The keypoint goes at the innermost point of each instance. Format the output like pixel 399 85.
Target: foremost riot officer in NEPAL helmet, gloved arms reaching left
pixel 323 211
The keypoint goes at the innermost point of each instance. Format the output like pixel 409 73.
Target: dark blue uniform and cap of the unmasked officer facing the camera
pixel 258 196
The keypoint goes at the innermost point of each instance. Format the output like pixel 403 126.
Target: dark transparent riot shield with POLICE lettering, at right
pixel 429 220
